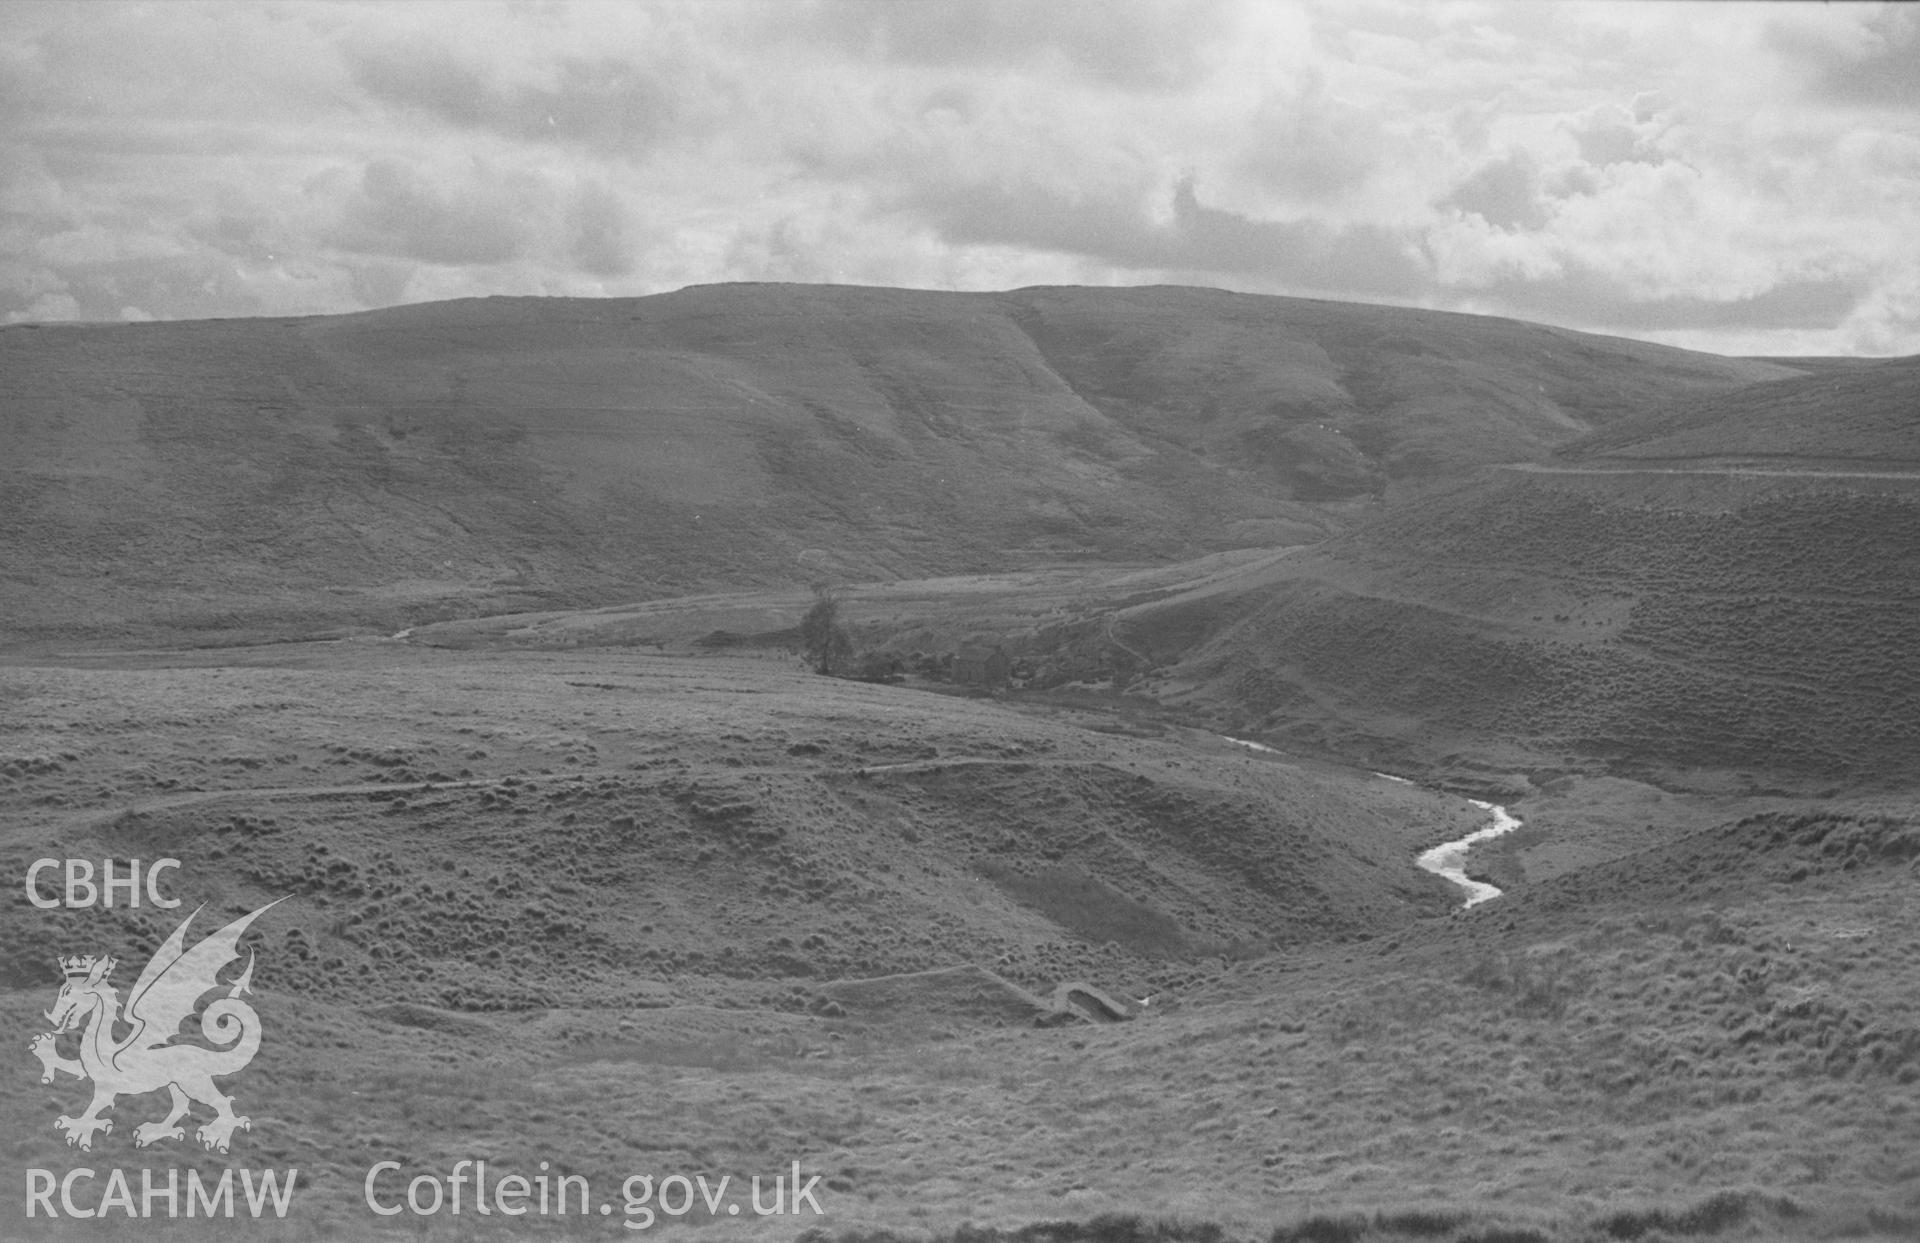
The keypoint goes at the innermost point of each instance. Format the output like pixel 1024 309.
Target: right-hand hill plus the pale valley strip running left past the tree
pixel 1716 593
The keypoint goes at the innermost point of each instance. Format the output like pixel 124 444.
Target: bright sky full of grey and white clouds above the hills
pixel 1714 176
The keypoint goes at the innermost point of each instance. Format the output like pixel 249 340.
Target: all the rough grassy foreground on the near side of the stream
pixel 646 915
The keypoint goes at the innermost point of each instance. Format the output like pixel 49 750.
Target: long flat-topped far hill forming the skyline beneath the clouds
pixel 450 460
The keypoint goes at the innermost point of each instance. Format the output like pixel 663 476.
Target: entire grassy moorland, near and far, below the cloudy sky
pixel 627 889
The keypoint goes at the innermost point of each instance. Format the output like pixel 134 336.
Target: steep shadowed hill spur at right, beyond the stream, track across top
pixel 1752 612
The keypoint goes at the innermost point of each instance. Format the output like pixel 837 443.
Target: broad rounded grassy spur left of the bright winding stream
pixel 485 817
